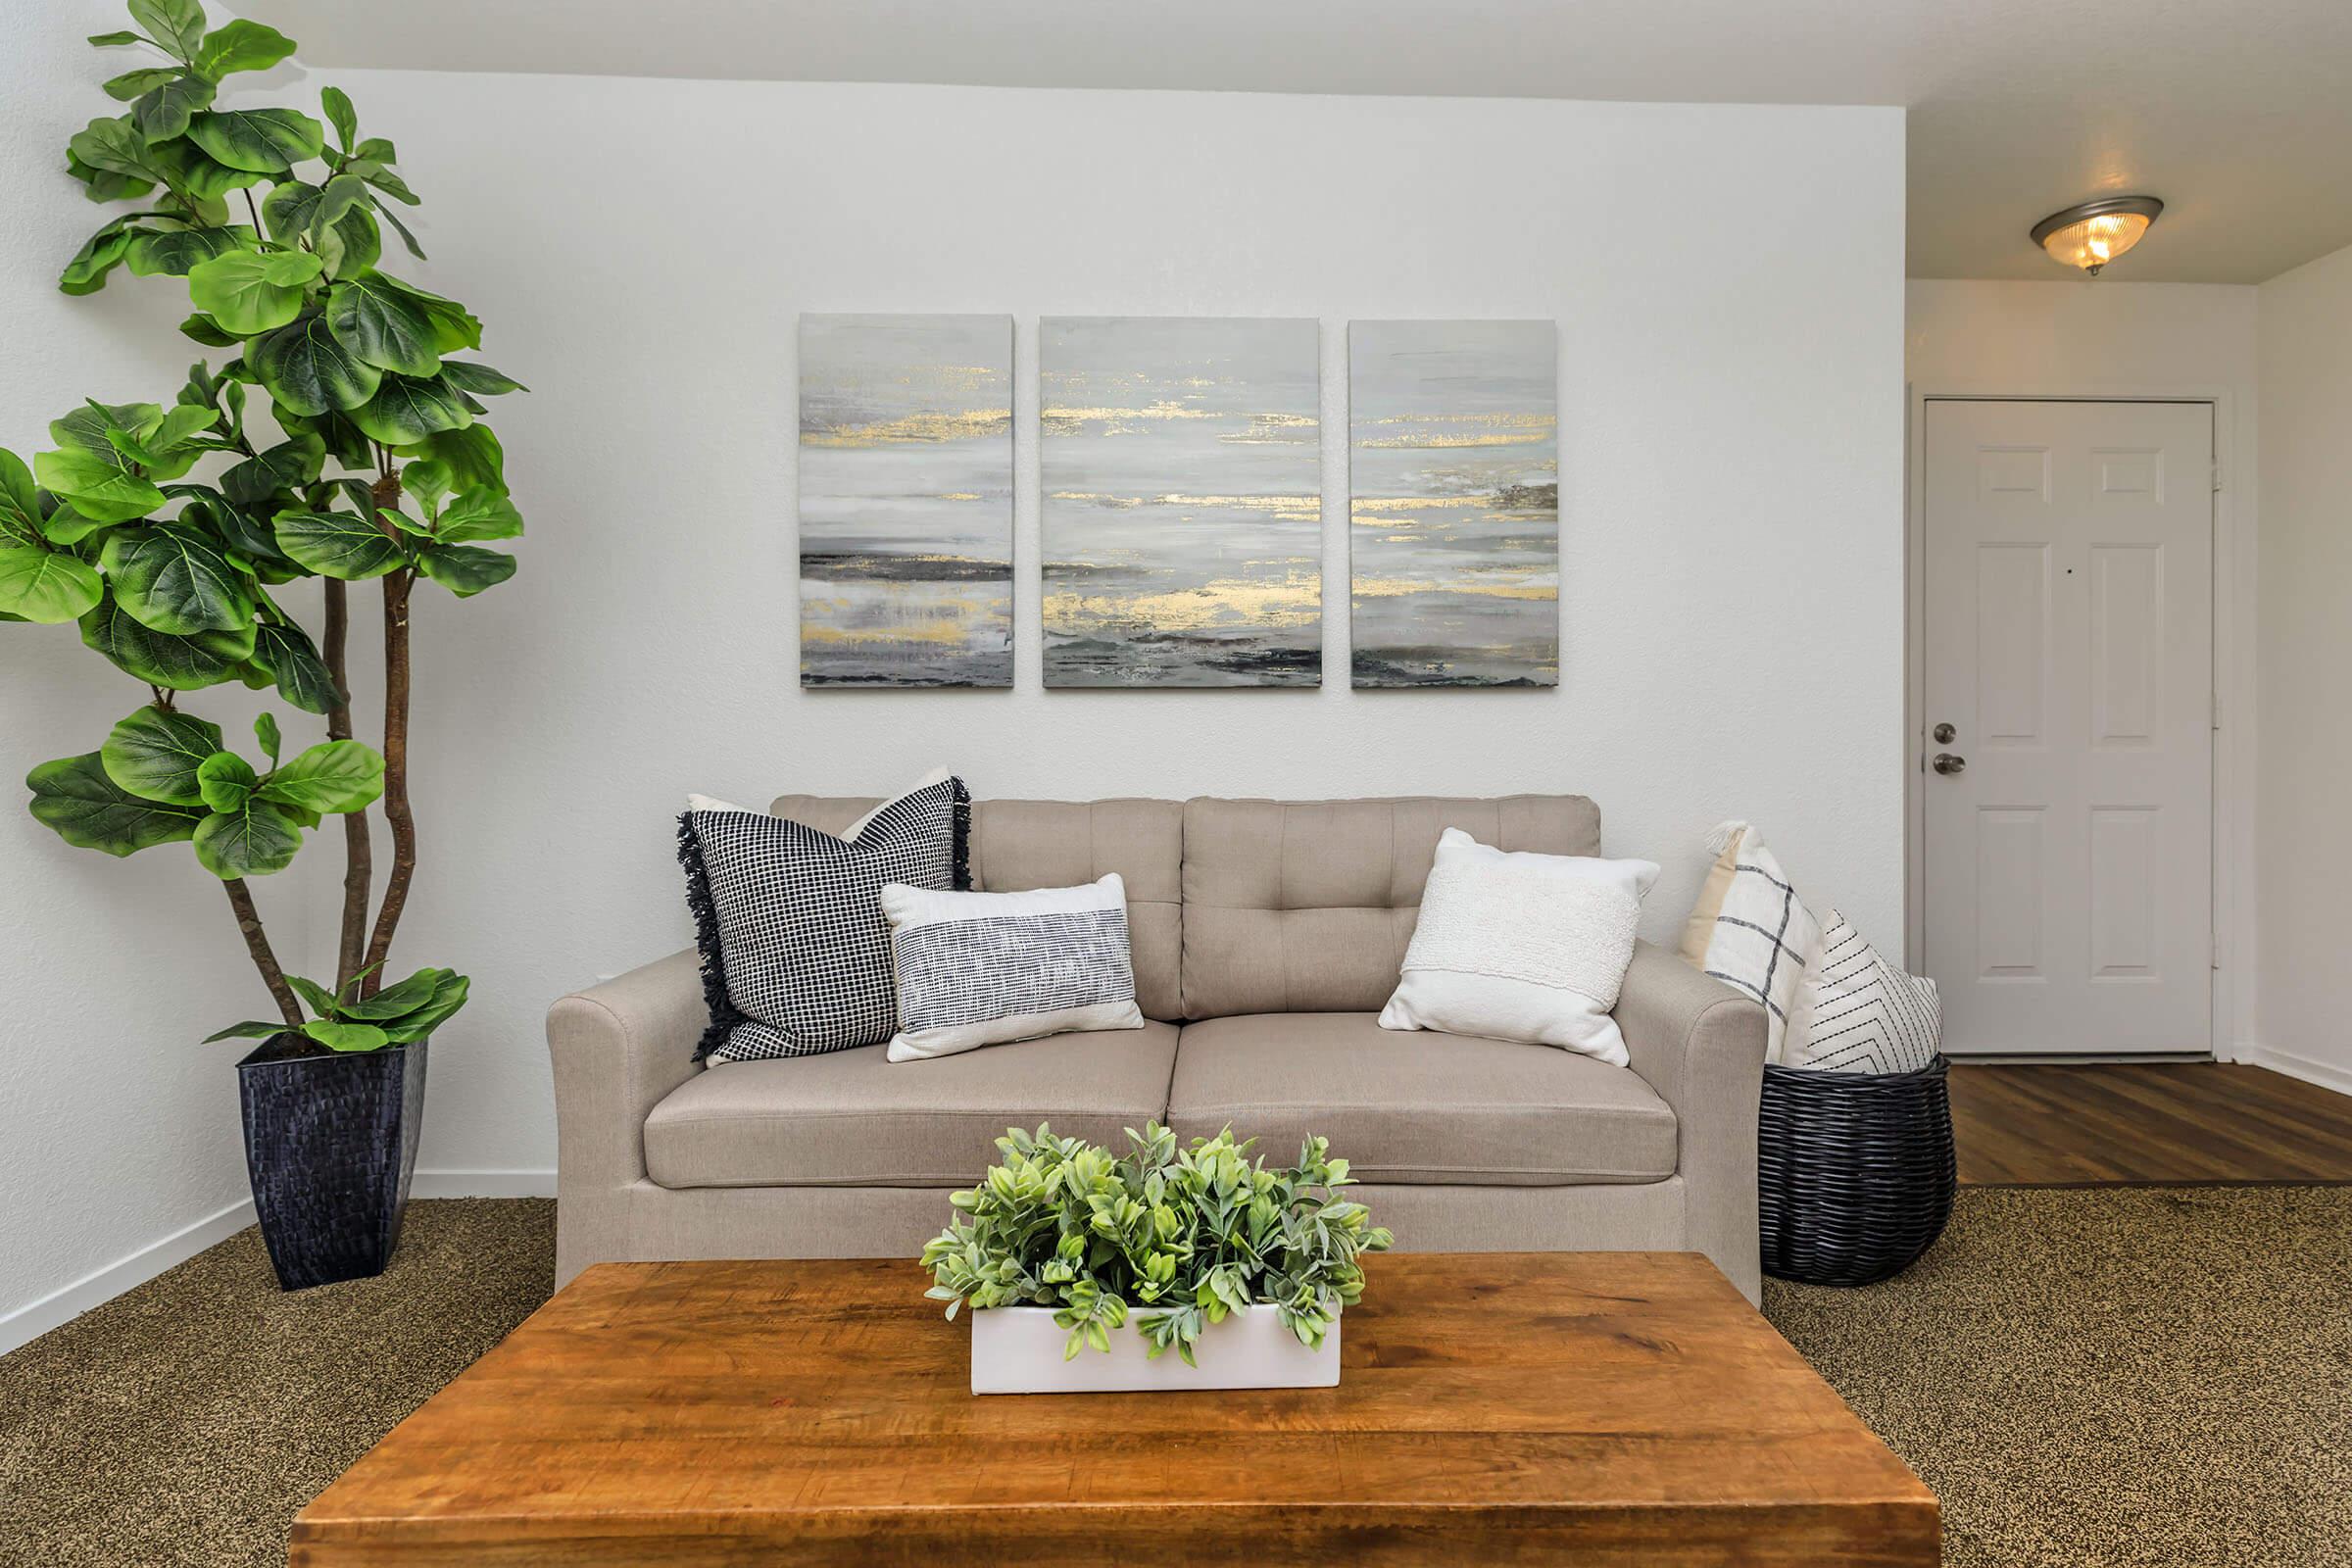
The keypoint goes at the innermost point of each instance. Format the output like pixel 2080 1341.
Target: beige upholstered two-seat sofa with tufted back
pixel 1267 937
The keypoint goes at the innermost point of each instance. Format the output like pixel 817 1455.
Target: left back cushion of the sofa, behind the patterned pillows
pixel 1020 845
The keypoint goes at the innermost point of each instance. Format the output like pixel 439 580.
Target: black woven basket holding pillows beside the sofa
pixel 1855 1172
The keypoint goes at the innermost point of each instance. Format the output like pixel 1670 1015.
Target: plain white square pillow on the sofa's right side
pixel 1521 946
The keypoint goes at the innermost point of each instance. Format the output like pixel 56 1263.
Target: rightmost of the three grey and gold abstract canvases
pixel 1455 504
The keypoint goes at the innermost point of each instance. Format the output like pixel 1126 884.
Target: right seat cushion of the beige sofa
pixel 1417 1106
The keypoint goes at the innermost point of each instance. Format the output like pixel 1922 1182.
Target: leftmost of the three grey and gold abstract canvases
pixel 907 502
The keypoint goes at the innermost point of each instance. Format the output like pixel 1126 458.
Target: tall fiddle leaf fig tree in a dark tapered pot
pixel 333 438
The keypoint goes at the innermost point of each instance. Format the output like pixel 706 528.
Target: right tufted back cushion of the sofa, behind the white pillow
pixel 1309 906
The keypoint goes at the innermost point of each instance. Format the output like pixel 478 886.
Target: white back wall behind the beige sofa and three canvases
pixel 1728 288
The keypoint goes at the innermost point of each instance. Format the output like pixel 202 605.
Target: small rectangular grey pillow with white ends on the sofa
pixel 980 970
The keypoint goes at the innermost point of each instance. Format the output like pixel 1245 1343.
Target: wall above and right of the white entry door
pixel 2137 340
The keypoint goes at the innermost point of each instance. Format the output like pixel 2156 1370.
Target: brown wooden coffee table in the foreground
pixel 1492 1409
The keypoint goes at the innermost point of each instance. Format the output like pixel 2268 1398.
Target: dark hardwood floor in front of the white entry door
pixel 2125 1123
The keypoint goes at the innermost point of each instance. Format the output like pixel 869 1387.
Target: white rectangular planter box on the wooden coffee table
pixel 1020 1351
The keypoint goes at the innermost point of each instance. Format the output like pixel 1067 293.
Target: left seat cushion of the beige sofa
pixel 860 1120
